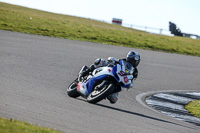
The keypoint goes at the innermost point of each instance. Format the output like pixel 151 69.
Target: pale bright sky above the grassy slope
pixel 147 13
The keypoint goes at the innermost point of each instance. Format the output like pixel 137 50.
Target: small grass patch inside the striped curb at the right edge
pixel 194 108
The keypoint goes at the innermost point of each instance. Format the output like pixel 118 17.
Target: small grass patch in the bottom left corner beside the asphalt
pixel 14 126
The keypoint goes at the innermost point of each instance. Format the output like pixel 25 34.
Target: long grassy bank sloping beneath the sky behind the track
pixel 21 19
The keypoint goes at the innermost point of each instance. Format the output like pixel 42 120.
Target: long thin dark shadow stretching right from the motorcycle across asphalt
pixel 141 115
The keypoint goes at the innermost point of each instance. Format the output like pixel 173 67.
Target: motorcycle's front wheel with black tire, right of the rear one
pixel 98 95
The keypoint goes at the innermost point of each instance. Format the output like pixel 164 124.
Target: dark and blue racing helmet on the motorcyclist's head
pixel 133 58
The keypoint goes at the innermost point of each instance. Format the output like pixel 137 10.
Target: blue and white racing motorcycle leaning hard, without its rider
pixel 102 82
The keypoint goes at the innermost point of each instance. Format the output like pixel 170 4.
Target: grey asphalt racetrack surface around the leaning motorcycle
pixel 36 70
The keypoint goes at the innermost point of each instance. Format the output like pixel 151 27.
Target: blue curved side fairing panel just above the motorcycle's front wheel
pixel 90 83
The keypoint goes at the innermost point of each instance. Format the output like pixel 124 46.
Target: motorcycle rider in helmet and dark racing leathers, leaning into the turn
pixel 132 58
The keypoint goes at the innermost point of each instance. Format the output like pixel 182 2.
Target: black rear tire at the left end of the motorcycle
pixel 72 89
